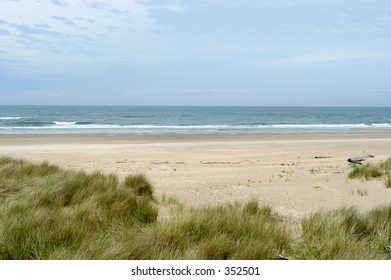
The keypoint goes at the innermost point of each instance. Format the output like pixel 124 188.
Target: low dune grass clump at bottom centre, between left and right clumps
pixel 234 231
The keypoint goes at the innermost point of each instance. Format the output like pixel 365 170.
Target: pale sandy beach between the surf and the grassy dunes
pixel 294 173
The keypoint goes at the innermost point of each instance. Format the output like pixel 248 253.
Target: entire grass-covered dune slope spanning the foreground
pixel 50 213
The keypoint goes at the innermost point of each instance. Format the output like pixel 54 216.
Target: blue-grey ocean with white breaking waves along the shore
pixel 191 120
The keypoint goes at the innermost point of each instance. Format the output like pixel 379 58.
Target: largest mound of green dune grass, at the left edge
pixel 44 209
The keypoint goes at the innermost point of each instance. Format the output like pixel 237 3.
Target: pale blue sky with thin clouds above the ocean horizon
pixel 183 52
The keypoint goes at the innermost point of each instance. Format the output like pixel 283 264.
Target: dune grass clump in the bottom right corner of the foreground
pixel 345 234
